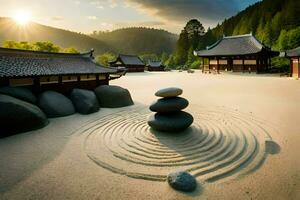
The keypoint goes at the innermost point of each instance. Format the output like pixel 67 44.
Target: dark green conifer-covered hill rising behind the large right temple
pixel 275 22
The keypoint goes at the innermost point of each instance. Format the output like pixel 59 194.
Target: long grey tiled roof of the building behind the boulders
pixel 21 63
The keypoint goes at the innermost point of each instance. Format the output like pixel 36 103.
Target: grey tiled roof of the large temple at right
pixel 234 45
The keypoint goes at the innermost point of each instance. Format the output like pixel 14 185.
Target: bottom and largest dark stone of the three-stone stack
pixel 170 122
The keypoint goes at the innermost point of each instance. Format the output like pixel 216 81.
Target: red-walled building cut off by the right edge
pixel 294 56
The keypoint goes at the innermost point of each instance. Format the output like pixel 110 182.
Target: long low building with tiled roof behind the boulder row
pixel 41 71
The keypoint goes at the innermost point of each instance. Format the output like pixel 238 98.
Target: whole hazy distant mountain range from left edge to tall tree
pixel 128 41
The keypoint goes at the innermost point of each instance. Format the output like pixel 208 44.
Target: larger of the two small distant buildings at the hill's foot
pixel 131 63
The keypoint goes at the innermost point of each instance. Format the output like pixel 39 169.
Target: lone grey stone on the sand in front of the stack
pixel 182 181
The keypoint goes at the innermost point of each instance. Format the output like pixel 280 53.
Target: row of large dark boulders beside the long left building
pixel 21 110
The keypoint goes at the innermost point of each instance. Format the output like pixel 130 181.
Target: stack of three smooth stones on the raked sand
pixel 169 116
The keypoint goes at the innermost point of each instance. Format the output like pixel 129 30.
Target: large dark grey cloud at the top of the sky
pixel 207 11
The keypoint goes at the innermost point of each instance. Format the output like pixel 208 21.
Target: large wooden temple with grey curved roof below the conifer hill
pixel 241 53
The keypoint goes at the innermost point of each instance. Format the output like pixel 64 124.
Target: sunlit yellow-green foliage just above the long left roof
pixel 37 46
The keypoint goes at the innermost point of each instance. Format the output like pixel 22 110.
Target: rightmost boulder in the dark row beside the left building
pixel 113 96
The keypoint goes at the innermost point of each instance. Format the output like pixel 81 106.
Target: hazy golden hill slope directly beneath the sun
pixel 37 32
